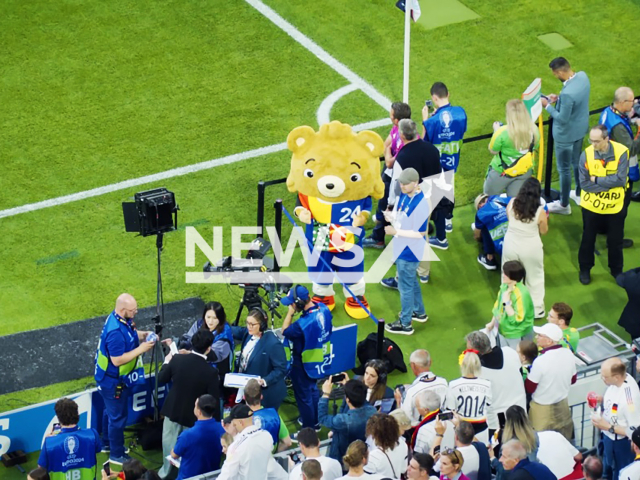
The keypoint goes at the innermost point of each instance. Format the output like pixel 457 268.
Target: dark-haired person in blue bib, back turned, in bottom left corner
pixel 70 454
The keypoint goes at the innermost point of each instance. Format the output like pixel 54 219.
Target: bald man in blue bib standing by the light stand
pixel 118 368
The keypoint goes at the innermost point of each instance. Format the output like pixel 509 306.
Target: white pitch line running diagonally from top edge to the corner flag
pixel 322 54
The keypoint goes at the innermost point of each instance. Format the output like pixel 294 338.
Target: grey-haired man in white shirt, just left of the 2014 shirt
pixel 420 363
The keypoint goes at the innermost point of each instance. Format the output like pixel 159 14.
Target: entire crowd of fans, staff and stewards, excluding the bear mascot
pixel 506 416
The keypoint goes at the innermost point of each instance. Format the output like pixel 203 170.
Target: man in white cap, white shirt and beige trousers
pixel 551 377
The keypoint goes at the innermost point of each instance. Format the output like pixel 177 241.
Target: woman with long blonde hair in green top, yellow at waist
pixel 512 147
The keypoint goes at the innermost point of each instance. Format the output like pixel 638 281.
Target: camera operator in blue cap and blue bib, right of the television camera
pixel 310 342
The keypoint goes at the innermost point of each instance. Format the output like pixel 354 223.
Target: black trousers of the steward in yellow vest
pixel 613 225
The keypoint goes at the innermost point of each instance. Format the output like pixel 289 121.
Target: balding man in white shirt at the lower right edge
pixel 620 409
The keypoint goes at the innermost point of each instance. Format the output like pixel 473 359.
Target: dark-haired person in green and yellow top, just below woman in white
pixel 513 311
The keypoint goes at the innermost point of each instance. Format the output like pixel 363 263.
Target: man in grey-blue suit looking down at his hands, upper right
pixel 570 125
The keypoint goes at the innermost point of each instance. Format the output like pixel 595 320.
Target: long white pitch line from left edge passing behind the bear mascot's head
pixel 174 172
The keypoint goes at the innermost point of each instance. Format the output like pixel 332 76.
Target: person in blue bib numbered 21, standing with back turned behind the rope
pixel 444 128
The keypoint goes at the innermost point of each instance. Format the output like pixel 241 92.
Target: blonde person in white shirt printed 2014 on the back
pixel 470 396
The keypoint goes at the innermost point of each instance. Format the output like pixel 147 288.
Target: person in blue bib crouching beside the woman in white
pixel 490 227
